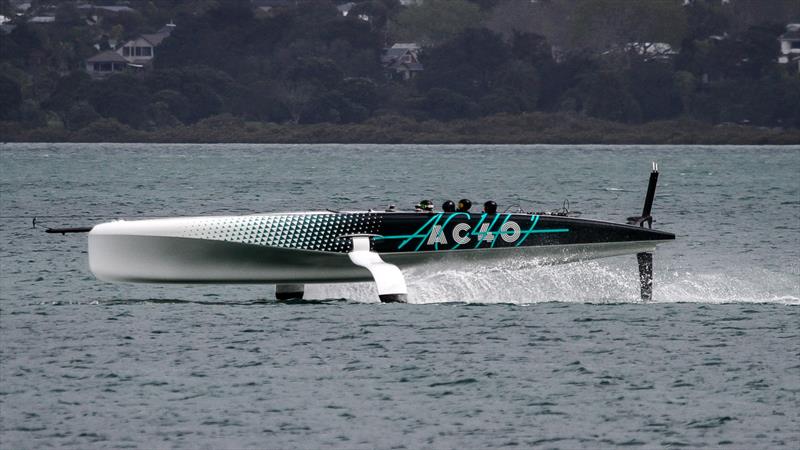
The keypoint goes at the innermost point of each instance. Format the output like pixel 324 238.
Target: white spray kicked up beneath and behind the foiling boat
pixel 608 281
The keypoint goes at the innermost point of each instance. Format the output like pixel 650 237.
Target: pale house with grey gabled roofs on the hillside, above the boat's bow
pixel 135 54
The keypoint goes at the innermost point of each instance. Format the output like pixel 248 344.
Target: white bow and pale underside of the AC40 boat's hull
pixel 170 251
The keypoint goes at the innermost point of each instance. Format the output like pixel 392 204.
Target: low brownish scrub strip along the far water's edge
pixel 528 129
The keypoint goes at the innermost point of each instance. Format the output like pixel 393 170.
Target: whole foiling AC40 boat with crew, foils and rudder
pixel 293 249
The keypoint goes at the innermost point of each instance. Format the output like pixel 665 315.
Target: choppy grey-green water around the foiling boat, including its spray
pixel 507 354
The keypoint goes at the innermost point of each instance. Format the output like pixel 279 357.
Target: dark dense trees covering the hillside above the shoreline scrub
pixel 310 65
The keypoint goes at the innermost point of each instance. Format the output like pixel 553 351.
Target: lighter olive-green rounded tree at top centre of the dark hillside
pixel 434 21
